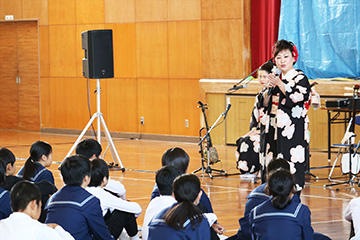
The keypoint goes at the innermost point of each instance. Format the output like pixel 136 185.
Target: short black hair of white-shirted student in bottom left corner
pixel 22 193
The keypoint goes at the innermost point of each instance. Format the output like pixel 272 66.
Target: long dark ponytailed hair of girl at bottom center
pixel 186 190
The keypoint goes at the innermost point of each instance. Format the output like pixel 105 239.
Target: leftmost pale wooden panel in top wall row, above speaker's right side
pixel 119 11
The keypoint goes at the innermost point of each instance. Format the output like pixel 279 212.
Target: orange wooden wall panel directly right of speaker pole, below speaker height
pixel 123 105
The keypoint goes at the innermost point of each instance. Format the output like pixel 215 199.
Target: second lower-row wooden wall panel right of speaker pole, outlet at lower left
pixel 153 105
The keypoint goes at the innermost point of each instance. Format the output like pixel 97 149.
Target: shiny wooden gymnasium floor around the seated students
pixel 141 159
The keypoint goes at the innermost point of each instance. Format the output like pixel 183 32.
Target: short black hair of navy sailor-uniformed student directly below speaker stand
pixel 74 168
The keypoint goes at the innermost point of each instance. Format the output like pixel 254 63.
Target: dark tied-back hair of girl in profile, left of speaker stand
pixel 37 150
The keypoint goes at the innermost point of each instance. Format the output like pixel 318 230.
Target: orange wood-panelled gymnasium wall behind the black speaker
pixel 161 50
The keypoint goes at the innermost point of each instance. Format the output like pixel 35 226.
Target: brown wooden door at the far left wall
pixel 19 76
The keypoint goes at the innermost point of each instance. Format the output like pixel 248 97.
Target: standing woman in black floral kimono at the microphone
pixel 285 105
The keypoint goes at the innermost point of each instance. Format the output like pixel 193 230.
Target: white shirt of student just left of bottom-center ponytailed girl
pixel 154 207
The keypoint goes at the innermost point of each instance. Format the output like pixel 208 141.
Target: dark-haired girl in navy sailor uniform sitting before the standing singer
pixel 281 217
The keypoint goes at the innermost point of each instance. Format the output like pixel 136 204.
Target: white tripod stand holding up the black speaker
pixel 100 122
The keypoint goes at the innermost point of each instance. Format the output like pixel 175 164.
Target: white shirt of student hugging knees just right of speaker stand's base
pixel 110 202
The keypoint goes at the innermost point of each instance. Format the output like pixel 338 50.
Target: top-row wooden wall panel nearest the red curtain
pixel 219 9
